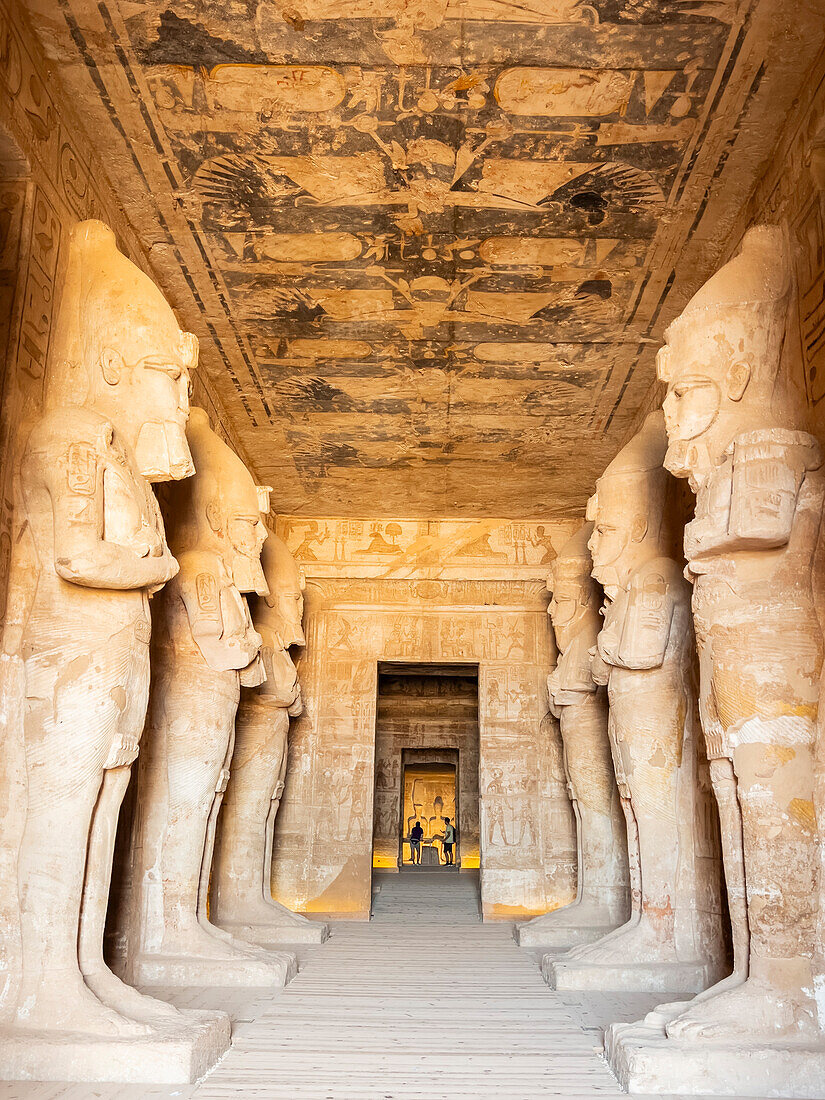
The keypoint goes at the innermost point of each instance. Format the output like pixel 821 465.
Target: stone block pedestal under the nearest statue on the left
pixel 172 1055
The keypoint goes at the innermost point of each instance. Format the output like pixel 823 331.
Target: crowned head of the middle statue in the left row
pixel 221 509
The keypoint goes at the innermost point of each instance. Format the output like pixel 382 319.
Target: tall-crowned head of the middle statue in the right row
pixel 629 509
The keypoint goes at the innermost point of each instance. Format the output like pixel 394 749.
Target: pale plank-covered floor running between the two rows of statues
pixel 425 1003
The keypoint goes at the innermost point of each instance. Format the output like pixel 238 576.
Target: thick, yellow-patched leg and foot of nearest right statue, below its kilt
pixel 776 795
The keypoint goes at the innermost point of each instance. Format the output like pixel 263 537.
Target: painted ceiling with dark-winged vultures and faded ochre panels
pixel 430 246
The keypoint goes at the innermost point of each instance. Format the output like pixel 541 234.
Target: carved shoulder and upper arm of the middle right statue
pixel 654 592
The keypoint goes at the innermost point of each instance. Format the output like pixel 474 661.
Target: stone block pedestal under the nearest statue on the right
pixel 647 1062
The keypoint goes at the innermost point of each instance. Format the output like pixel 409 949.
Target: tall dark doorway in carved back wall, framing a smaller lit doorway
pixel 426 765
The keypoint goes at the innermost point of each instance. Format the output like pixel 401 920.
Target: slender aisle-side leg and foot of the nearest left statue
pixel 97 975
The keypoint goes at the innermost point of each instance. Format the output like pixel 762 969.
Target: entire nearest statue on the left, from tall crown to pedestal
pixel 92 553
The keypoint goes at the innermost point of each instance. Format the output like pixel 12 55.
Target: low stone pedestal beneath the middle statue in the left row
pixel 194 971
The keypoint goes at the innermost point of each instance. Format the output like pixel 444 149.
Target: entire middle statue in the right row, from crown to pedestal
pixel 646 655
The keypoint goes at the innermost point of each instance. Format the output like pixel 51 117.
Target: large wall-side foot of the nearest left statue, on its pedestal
pixel 63 1003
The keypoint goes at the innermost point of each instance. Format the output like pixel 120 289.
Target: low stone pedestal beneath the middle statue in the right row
pixel 565 974
